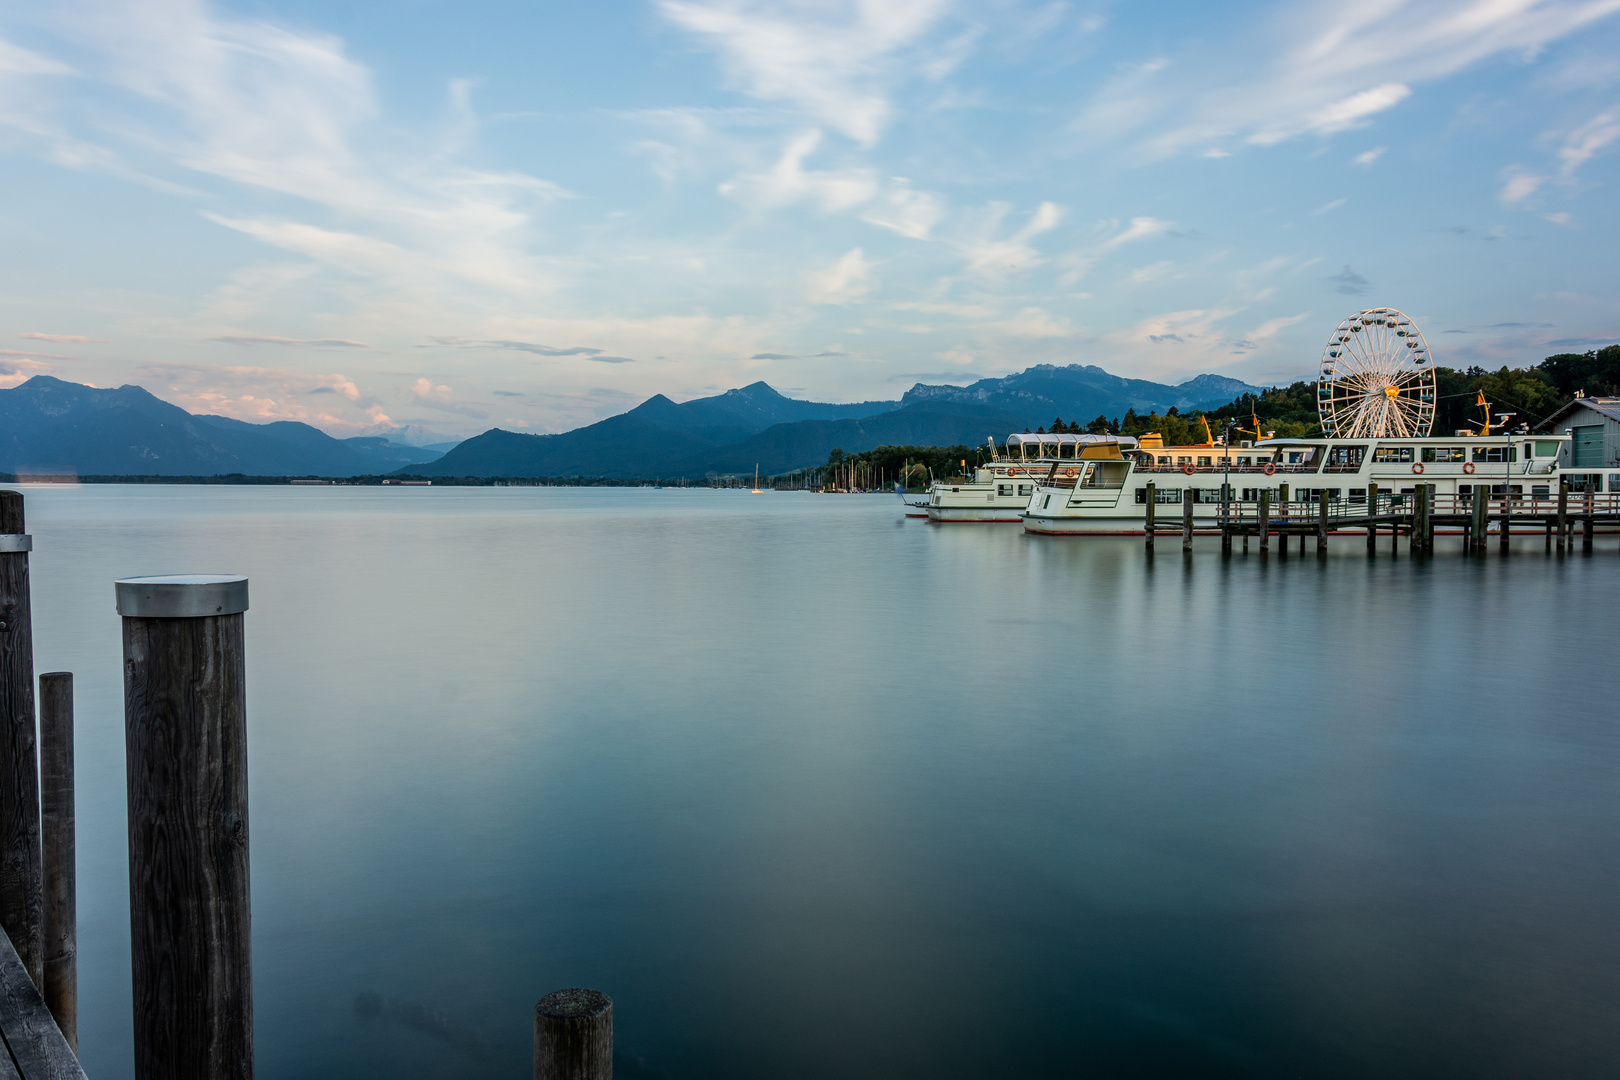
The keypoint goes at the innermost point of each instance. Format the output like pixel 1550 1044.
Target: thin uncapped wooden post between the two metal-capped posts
pixel 56 797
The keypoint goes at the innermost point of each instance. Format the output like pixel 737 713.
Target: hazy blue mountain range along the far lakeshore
pixel 49 427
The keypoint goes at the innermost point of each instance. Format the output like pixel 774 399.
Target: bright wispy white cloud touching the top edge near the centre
pixel 832 59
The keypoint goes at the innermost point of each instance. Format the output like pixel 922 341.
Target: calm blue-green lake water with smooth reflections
pixel 816 791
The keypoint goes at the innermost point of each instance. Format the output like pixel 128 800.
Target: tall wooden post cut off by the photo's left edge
pixel 22 911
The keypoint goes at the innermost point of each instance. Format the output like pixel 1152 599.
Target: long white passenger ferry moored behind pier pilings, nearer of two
pixel 1111 496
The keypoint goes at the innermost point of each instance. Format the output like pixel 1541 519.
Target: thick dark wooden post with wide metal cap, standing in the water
pixel 187 759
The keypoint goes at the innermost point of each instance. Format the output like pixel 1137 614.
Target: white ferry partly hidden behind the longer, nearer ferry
pixel 1002 490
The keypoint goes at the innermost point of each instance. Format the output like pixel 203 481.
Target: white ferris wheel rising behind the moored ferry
pixel 1378 378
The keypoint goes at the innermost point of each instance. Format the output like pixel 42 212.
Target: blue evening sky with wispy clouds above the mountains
pixel 532 216
